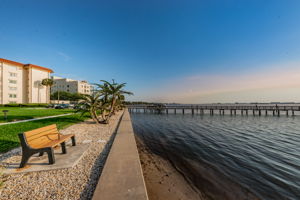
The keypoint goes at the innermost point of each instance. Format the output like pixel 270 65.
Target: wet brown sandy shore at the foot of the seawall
pixel 162 180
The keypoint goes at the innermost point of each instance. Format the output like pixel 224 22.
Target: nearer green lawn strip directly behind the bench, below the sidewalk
pixel 9 133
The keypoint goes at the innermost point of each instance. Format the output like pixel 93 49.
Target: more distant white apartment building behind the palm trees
pixel 72 86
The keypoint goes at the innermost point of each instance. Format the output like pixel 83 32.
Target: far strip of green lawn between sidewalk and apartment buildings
pixel 17 113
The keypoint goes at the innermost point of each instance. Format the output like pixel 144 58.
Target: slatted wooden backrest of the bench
pixel 41 136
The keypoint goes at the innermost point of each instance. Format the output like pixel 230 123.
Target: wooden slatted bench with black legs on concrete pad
pixel 43 140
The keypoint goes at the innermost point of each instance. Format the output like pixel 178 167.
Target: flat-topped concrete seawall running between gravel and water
pixel 122 176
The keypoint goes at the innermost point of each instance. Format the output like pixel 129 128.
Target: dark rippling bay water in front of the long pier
pixel 229 157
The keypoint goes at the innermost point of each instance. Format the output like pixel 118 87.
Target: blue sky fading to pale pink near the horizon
pixel 181 51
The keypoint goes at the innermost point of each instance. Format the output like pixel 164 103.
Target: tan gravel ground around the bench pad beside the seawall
pixel 78 182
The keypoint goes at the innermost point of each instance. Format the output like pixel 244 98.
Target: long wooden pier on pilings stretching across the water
pixel 221 109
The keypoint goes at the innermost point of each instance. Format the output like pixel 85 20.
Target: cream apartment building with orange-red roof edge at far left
pixel 21 83
